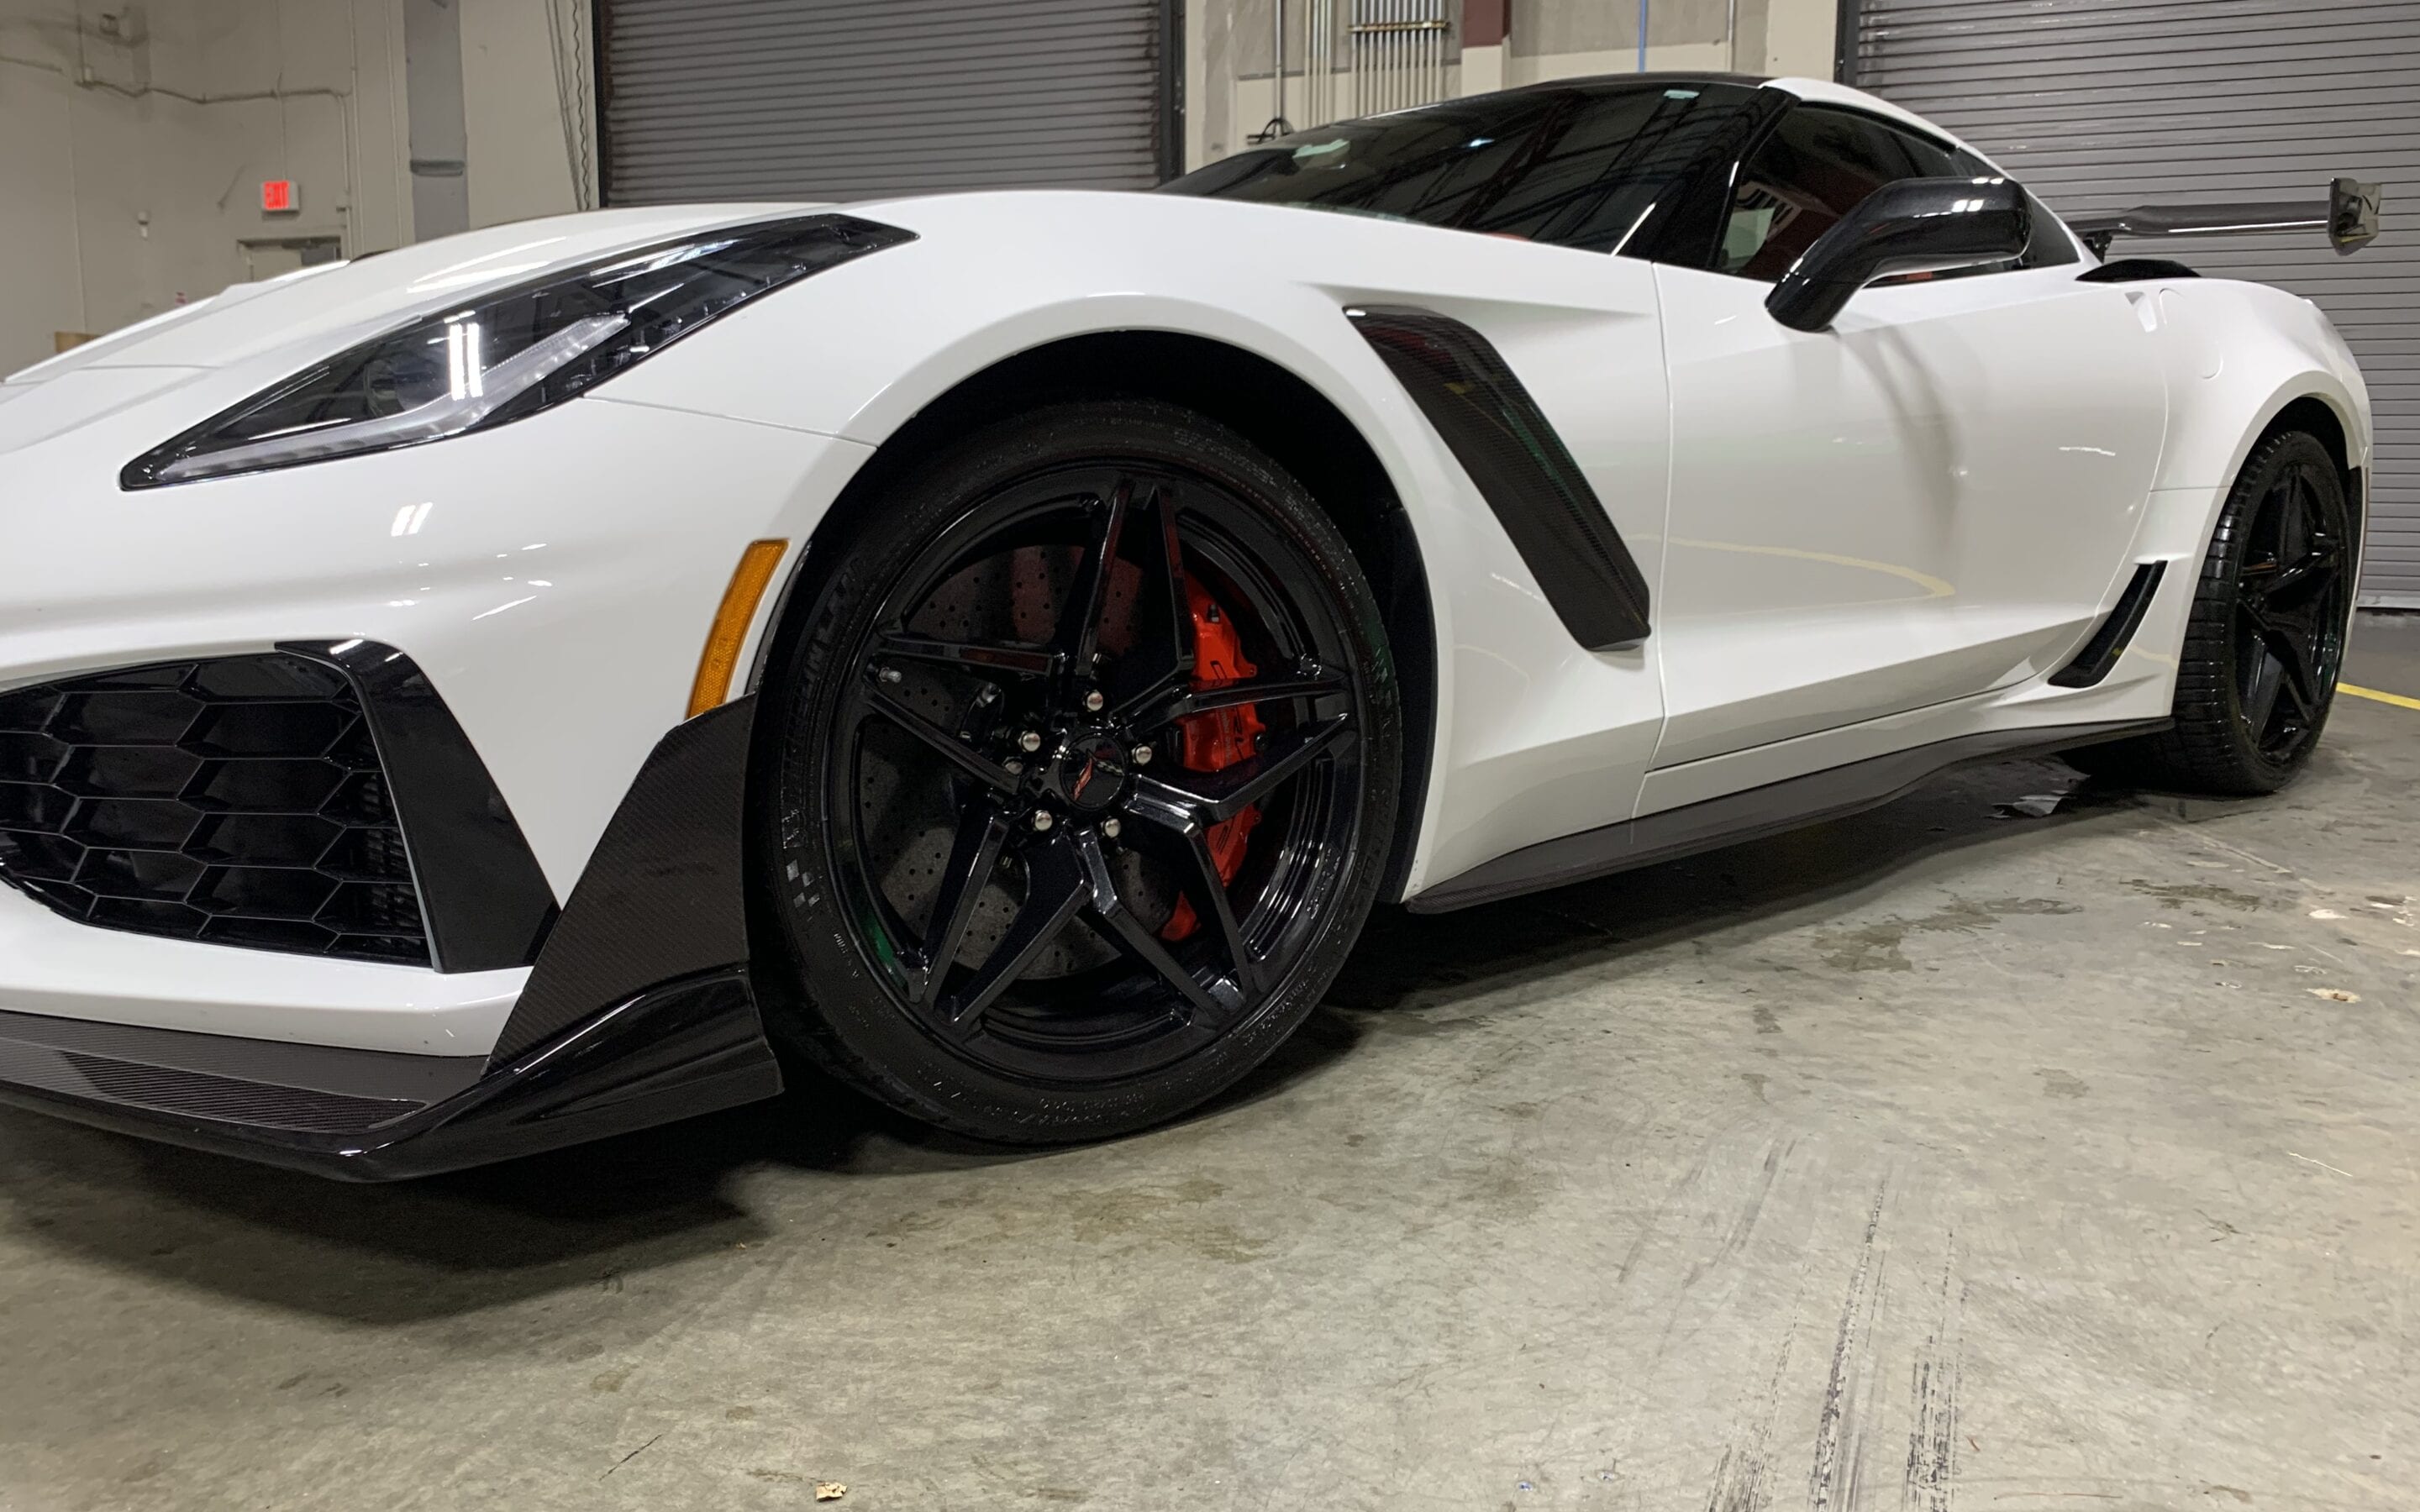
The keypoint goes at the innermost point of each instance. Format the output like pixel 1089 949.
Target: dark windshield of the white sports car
pixel 1565 166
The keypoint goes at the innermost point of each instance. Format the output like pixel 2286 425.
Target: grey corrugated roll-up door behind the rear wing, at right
pixel 2102 105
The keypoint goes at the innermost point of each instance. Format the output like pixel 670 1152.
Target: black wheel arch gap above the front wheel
pixel 1243 391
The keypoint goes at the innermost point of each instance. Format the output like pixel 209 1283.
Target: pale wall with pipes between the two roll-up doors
pixel 1228 50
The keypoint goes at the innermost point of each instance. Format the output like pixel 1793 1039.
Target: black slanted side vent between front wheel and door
pixel 1521 466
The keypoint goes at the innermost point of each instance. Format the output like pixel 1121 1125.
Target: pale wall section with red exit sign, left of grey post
pixel 134 142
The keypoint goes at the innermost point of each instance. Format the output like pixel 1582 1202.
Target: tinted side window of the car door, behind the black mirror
pixel 1819 166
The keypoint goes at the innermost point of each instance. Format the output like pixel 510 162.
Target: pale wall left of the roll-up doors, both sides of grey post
pixel 134 139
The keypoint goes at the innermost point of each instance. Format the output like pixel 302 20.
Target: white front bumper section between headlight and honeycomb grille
pixel 558 587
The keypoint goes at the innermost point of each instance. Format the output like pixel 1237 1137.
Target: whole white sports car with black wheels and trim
pixel 1001 647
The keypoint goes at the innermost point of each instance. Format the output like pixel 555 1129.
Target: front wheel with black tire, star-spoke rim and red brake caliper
pixel 928 700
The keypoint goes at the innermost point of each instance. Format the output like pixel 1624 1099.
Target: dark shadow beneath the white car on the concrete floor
pixel 454 1245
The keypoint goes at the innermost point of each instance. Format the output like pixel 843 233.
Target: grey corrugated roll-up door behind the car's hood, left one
pixel 846 100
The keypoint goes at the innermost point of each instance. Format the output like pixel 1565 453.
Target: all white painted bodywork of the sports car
pixel 1860 541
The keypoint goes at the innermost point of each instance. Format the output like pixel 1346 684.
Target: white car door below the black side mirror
pixel 1920 504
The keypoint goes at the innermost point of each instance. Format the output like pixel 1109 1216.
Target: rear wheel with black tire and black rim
pixel 2266 637
